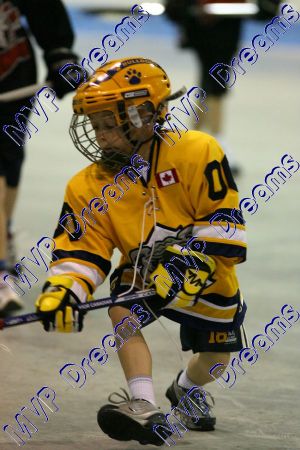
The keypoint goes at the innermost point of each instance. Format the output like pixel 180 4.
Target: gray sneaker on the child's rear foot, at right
pixel 201 418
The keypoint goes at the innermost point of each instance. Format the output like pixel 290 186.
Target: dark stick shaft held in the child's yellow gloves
pixel 89 306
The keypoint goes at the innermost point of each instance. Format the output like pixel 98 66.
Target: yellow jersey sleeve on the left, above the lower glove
pixel 83 246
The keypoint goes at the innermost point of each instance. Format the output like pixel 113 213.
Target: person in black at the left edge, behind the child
pixel 49 23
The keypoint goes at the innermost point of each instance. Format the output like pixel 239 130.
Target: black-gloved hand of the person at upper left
pixel 55 59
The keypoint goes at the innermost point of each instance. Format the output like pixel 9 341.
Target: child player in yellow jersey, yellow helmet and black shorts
pixel 160 222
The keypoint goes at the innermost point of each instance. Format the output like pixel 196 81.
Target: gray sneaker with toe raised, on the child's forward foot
pixel 130 419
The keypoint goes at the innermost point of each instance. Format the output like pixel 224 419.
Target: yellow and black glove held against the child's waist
pixel 192 272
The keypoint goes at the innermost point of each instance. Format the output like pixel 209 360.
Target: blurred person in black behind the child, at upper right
pixel 214 39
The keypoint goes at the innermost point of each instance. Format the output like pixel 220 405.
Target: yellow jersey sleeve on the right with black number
pixel 217 219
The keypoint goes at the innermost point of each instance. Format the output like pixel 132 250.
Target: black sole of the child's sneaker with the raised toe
pixel 127 429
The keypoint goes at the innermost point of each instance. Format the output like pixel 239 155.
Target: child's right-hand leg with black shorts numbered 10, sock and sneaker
pixel 210 347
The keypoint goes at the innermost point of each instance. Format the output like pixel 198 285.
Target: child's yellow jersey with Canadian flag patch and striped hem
pixel 187 190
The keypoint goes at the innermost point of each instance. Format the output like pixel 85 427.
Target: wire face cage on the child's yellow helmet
pixel 84 138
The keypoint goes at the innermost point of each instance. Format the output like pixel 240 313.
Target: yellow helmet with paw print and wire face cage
pixel 122 88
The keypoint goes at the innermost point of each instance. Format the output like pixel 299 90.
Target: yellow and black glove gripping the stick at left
pixel 57 305
